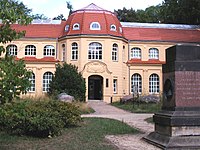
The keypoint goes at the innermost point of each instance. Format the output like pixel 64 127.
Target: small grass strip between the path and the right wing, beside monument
pixel 142 108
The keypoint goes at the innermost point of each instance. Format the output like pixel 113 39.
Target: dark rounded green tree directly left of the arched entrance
pixel 68 80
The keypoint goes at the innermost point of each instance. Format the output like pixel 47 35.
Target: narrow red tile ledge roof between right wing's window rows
pixel 150 61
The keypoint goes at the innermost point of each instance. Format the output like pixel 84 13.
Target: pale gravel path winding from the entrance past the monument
pixel 124 142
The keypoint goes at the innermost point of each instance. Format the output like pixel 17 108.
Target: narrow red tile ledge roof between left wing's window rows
pixel 34 59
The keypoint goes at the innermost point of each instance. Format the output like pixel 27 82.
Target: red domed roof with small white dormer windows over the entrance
pixel 93 20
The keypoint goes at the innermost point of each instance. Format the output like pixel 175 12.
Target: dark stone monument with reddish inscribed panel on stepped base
pixel 177 125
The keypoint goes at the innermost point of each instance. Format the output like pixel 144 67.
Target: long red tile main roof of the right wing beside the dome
pixel 160 34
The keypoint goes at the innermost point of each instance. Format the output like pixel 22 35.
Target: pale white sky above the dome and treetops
pixel 52 8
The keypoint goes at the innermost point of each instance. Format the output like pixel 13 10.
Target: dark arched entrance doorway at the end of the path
pixel 95 87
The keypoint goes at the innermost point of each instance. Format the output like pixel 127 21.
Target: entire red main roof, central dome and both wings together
pixel 92 13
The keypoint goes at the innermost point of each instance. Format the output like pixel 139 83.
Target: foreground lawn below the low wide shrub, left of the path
pixel 89 136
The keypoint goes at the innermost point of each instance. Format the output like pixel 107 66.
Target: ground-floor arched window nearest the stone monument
pixel 154 87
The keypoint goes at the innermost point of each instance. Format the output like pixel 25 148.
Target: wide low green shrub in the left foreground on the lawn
pixel 38 118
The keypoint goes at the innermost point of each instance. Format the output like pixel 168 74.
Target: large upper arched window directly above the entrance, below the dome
pixel 95 51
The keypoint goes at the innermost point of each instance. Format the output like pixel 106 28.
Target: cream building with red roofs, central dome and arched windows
pixel 113 57
